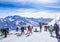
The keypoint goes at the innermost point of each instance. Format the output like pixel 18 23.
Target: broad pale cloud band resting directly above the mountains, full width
pixel 29 14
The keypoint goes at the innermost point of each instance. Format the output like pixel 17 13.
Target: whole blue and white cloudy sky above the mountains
pixel 30 8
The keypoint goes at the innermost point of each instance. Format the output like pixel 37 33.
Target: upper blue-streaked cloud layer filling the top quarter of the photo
pixel 36 4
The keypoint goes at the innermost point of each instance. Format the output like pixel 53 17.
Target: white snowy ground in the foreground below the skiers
pixel 35 37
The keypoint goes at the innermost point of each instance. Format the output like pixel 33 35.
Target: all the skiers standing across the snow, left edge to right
pixel 29 28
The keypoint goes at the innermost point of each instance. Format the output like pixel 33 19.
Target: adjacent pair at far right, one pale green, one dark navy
pixel 55 28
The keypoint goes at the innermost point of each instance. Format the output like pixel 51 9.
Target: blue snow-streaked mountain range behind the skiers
pixel 14 21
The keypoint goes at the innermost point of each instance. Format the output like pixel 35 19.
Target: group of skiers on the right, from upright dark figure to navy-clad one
pixel 51 28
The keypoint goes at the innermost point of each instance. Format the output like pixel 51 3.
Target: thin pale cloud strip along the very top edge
pixel 44 1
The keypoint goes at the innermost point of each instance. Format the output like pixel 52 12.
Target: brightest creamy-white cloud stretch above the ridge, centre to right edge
pixel 40 14
